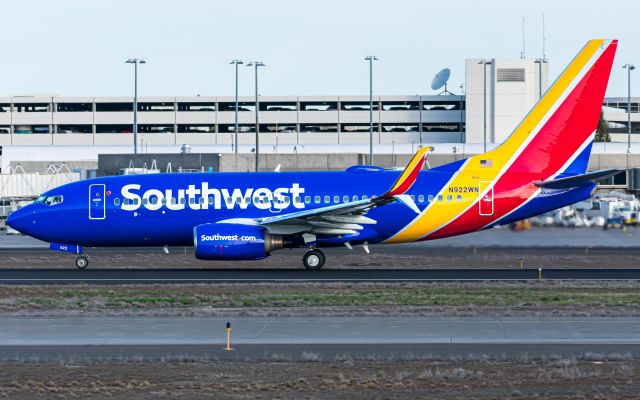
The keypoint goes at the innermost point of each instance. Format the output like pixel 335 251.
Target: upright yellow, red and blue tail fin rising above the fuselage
pixel 559 129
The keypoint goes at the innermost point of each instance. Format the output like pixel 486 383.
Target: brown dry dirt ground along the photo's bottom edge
pixel 565 379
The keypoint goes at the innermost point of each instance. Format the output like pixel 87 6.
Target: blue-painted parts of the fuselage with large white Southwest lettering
pixel 113 211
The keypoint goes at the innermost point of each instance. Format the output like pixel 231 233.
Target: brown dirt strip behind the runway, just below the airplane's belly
pixel 388 256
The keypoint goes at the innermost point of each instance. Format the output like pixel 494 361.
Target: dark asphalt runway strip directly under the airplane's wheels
pixel 189 275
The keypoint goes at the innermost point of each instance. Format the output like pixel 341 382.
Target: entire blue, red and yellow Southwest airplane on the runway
pixel 540 167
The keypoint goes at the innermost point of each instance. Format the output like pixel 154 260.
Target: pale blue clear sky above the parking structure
pixel 78 47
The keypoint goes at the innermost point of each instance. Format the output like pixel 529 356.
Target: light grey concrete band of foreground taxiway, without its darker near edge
pixel 18 331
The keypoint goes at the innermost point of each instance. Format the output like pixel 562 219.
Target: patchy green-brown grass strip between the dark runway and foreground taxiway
pixel 606 297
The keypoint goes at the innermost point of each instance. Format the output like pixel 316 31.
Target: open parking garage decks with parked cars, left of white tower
pixel 332 120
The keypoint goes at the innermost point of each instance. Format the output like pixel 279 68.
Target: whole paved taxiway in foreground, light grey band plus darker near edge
pixel 56 339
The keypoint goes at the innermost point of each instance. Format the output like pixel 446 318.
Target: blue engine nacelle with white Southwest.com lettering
pixel 233 242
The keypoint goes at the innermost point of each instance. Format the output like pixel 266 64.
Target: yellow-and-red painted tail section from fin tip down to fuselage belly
pixel 554 137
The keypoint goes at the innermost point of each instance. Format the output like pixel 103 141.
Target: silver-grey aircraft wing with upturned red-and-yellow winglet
pixel 346 218
